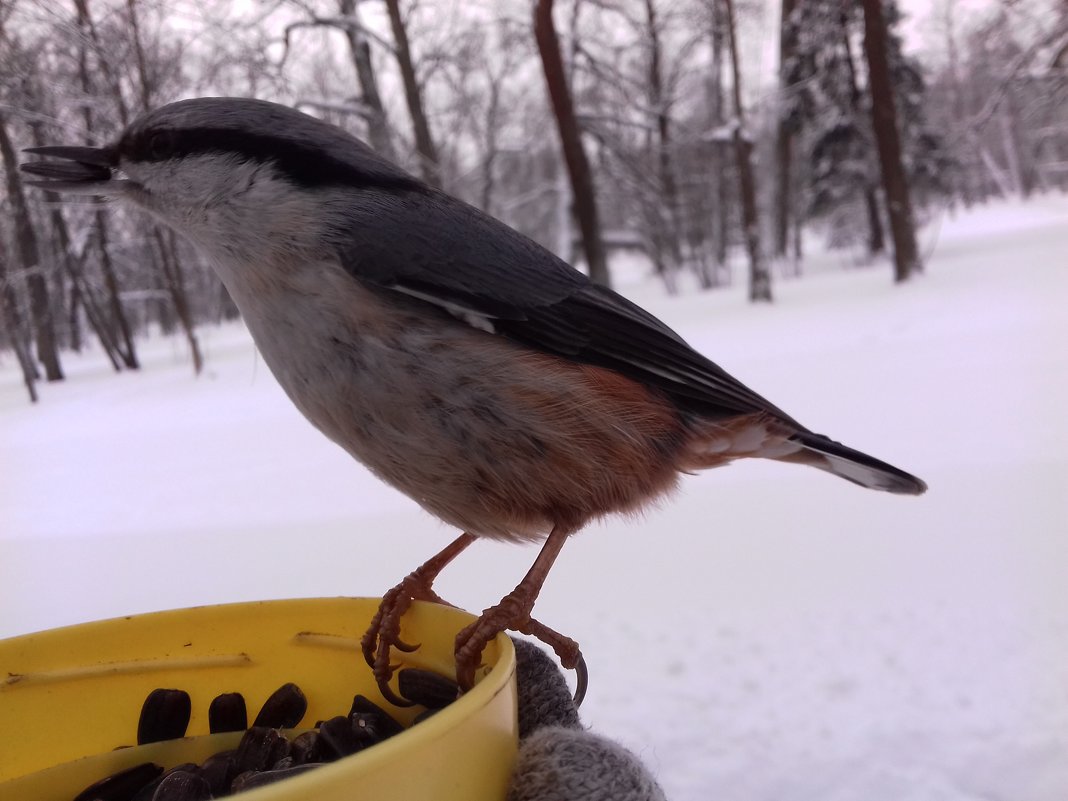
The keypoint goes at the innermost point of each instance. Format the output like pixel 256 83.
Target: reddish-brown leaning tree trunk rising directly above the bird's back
pixel 575 155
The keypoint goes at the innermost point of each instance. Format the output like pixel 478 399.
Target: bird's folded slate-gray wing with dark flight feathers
pixel 433 247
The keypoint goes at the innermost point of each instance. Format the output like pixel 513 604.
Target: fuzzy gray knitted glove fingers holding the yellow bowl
pixel 559 760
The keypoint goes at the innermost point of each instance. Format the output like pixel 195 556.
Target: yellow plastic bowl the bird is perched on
pixel 69 697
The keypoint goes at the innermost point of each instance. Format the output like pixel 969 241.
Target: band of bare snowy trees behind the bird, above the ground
pixel 713 138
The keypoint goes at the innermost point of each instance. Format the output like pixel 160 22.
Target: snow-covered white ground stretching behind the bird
pixel 772 634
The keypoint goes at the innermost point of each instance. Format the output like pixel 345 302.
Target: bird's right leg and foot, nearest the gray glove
pixel 514 612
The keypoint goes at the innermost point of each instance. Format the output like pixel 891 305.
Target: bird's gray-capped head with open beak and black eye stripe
pixel 232 175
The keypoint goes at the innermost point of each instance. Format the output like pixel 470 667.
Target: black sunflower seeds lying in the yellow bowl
pixel 266 755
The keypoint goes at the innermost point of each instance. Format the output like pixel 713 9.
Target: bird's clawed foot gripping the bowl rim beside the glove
pixel 514 612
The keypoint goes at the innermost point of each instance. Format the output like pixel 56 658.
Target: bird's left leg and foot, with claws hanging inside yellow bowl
pixel 385 630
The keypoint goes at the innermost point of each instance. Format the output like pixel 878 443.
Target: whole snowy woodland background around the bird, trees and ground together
pixel 857 208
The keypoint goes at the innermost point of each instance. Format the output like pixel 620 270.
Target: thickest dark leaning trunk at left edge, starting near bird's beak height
pixel 29 255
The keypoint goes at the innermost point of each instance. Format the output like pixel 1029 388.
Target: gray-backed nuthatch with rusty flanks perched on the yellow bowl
pixel 462 363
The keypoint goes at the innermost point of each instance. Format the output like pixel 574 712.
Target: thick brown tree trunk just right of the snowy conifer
pixel 885 120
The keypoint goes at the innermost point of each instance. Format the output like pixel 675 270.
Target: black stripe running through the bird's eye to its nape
pixel 303 165
